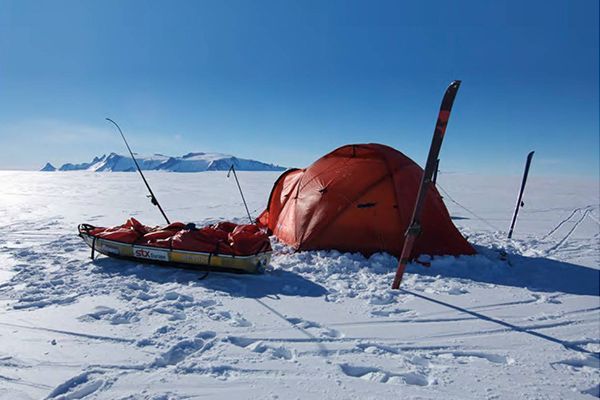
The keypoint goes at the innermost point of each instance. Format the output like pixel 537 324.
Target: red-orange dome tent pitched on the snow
pixel 359 198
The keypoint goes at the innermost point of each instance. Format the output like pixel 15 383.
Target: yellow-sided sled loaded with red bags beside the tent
pixel 140 249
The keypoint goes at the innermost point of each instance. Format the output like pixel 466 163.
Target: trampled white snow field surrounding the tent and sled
pixel 314 325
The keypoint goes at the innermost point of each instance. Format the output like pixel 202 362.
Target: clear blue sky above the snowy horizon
pixel 287 81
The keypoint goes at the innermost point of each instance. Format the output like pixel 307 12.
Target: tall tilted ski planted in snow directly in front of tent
pixel 414 229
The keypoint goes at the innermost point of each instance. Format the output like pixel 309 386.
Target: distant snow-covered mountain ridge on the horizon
pixel 191 162
